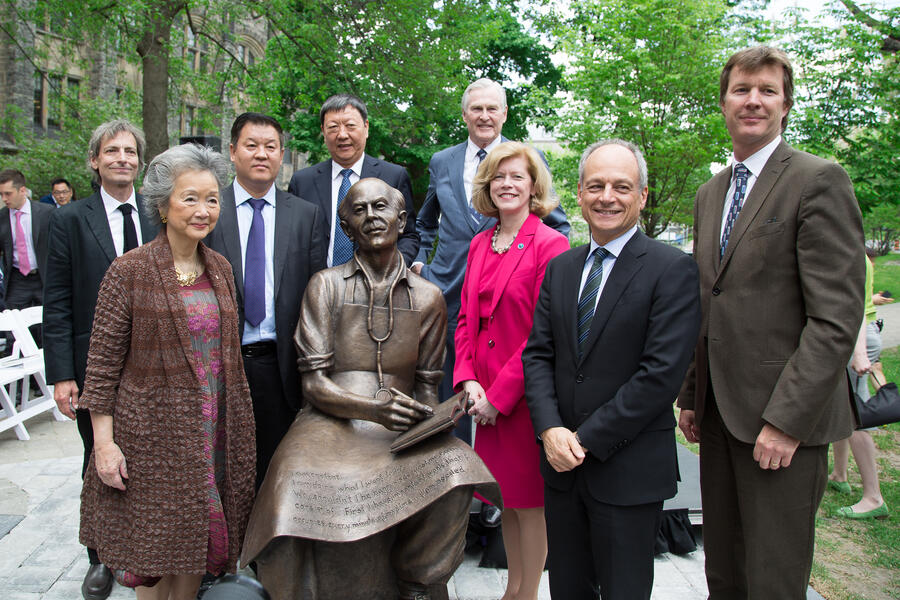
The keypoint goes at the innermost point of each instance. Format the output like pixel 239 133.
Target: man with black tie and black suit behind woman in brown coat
pixel 85 237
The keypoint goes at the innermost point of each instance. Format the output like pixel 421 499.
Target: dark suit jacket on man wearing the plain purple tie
pixel 300 247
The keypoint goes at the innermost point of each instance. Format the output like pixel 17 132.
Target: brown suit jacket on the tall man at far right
pixel 782 309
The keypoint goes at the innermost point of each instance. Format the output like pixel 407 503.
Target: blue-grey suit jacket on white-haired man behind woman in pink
pixel 445 216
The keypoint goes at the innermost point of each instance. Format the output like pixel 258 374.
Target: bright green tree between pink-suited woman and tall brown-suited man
pixel 645 71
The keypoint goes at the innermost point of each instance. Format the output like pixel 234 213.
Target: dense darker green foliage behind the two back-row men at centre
pixel 409 60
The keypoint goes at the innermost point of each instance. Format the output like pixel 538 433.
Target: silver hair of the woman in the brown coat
pixel 166 167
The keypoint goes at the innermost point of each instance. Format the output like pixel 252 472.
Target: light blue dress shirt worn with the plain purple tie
pixel 265 331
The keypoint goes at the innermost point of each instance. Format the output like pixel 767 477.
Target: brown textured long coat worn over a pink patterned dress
pixel 140 370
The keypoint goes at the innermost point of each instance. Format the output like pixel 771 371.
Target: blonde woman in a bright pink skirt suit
pixel 504 271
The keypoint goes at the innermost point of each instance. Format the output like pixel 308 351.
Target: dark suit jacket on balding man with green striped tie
pixel 619 395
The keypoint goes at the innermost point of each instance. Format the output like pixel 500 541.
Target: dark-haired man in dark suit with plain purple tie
pixel 270 281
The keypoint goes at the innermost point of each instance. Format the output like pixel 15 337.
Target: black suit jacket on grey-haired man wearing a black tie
pixel 80 250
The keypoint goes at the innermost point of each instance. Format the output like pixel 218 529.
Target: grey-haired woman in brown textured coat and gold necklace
pixel 170 485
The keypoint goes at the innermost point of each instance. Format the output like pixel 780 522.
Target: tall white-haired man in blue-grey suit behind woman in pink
pixel 447 214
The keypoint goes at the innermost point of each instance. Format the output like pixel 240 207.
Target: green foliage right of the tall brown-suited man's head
pixel 848 99
